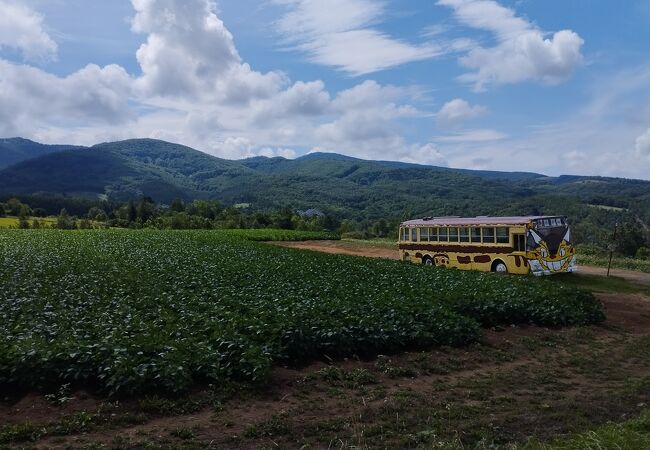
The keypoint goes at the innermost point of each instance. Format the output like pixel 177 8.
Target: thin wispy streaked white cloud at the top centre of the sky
pixel 339 33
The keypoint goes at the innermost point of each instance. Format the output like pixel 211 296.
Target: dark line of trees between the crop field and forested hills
pixel 631 238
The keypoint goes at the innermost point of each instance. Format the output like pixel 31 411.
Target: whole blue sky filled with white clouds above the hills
pixel 553 86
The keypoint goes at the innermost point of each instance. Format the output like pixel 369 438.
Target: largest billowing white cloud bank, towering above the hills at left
pixel 196 90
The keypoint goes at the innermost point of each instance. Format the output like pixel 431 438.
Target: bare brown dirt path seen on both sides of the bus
pixel 356 249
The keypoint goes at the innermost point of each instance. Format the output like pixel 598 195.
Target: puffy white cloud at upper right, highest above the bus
pixel 523 51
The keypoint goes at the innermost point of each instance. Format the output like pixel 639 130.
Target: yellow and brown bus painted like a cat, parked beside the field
pixel 540 245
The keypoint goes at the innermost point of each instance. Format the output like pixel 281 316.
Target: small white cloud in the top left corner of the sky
pixel 22 28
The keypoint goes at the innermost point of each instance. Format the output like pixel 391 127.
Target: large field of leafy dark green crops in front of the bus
pixel 133 311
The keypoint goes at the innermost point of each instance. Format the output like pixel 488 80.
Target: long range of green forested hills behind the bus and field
pixel 341 185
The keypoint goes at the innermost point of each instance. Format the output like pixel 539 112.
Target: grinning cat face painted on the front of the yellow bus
pixel 550 251
